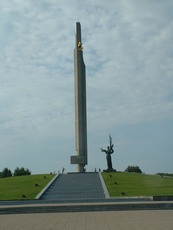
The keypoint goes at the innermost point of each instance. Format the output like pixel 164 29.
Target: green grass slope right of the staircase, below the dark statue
pixel 134 184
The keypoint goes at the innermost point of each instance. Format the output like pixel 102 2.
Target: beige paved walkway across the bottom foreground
pixel 136 220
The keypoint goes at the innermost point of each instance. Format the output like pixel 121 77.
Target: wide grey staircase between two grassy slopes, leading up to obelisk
pixel 75 186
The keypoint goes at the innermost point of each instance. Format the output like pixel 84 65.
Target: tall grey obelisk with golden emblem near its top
pixel 80 104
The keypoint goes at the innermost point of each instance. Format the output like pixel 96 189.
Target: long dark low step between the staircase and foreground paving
pixel 27 209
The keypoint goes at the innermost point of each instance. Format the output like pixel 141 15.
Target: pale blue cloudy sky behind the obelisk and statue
pixel 128 55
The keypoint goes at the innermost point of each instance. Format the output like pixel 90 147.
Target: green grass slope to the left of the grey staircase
pixel 23 187
